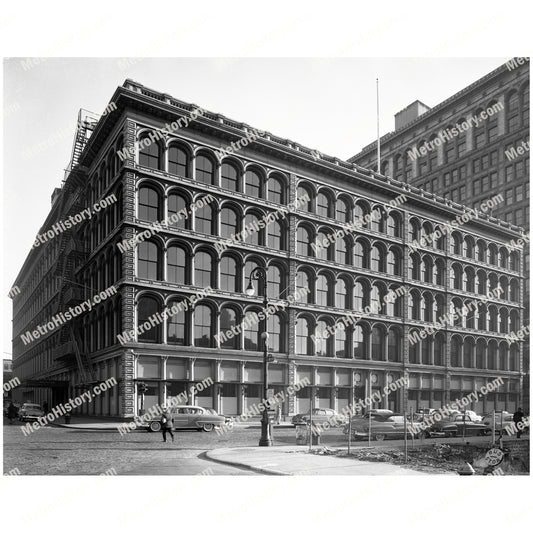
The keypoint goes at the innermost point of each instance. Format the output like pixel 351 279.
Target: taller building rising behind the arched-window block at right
pixel 471 147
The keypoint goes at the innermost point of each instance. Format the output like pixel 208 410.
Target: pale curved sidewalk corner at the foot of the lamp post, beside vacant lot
pixel 295 460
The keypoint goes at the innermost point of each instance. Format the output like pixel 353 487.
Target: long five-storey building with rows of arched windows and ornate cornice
pixel 197 208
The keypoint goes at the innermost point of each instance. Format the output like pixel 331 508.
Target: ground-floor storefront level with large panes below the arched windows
pixel 235 387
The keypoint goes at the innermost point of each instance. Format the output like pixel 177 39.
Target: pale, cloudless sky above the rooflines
pixel 325 104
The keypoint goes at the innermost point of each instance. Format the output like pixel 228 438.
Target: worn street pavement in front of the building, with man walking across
pixel 61 451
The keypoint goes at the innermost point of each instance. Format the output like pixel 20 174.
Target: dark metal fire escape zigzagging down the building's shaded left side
pixel 72 254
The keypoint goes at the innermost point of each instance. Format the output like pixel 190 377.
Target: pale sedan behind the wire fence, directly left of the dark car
pixel 381 427
